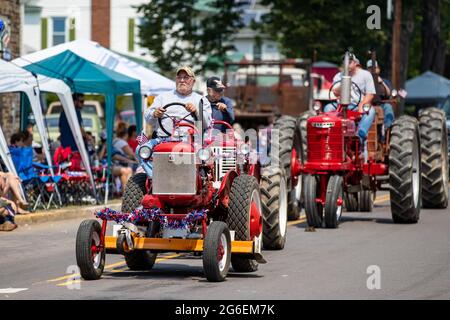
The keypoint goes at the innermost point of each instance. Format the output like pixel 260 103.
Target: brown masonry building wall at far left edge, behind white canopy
pixel 10 103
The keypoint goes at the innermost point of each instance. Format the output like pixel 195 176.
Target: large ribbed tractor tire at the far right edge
pixel 434 148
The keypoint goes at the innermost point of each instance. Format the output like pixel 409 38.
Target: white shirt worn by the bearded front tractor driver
pixel 178 111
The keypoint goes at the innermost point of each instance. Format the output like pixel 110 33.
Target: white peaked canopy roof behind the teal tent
pixel 152 83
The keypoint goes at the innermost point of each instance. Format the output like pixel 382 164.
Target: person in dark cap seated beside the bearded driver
pixel 222 107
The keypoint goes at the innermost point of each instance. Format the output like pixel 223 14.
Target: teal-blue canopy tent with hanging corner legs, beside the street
pixel 86 77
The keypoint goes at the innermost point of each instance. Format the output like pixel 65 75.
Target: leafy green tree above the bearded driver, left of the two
pixel 189 31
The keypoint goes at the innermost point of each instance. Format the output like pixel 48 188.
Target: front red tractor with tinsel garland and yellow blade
pixel 198 194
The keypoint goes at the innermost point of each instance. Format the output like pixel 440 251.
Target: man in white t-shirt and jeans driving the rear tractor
pixel 364 80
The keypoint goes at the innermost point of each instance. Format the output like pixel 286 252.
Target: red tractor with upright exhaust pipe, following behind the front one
pixel 410 158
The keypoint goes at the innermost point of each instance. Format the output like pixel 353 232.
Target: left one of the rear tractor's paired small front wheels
pixel 313 209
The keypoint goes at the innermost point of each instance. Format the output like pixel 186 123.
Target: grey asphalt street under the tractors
pixel 367 257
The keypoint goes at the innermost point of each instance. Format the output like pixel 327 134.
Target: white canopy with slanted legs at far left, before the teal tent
pixel 16 79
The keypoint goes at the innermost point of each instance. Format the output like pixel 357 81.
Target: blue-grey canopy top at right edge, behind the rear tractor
pixel 428 88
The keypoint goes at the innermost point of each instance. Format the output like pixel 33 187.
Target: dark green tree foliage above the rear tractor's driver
pixel 324 29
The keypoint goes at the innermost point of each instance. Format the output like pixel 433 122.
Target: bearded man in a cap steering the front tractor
pixel 184 94
